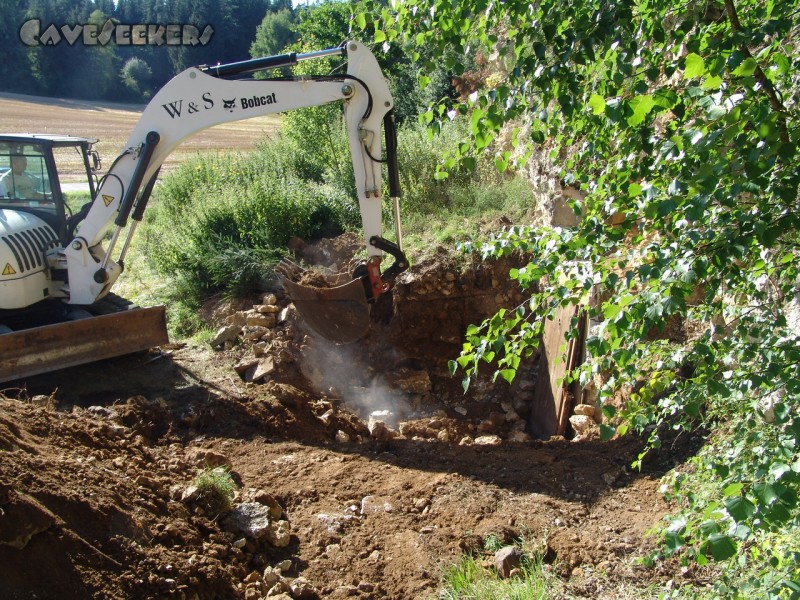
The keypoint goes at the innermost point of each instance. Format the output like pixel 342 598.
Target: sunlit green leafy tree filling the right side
pixel 679 121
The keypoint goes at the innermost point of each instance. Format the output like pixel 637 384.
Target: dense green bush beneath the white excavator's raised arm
pixel 220 223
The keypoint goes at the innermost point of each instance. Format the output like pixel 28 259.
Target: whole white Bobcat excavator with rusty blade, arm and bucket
pixel 57 269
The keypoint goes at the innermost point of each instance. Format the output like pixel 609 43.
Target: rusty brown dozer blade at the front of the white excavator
pixel 52 347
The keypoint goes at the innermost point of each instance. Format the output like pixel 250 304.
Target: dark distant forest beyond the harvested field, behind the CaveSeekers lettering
pixel 123 50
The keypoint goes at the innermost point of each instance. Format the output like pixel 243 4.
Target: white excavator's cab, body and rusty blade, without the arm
pixel 38 332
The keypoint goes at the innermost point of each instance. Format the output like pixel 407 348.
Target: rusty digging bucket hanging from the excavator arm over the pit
pixel 333 306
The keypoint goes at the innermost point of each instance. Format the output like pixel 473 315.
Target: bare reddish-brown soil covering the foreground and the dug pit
pixel 95 463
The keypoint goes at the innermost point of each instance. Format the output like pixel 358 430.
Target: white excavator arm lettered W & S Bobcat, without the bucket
pixel 199 98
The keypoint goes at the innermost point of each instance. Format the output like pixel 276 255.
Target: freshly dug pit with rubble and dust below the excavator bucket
pixel 398 373
